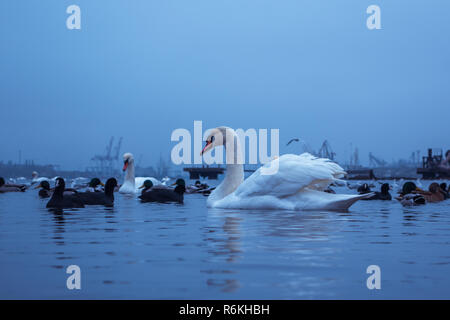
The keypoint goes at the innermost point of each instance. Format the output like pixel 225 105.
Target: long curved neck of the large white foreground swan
pixel 234 175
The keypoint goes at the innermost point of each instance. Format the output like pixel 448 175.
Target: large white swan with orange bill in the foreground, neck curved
pixel 298 183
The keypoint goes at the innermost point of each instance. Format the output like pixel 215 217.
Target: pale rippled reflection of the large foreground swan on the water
pixel 230 232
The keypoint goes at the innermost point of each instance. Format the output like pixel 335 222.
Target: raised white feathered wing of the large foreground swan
pixel 294 174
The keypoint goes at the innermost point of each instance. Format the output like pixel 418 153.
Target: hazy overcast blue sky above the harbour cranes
pixel 142 68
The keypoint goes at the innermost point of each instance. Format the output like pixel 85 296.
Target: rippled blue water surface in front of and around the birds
pixel 154 251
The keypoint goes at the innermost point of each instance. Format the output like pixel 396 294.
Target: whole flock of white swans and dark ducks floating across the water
pixel 300 182
